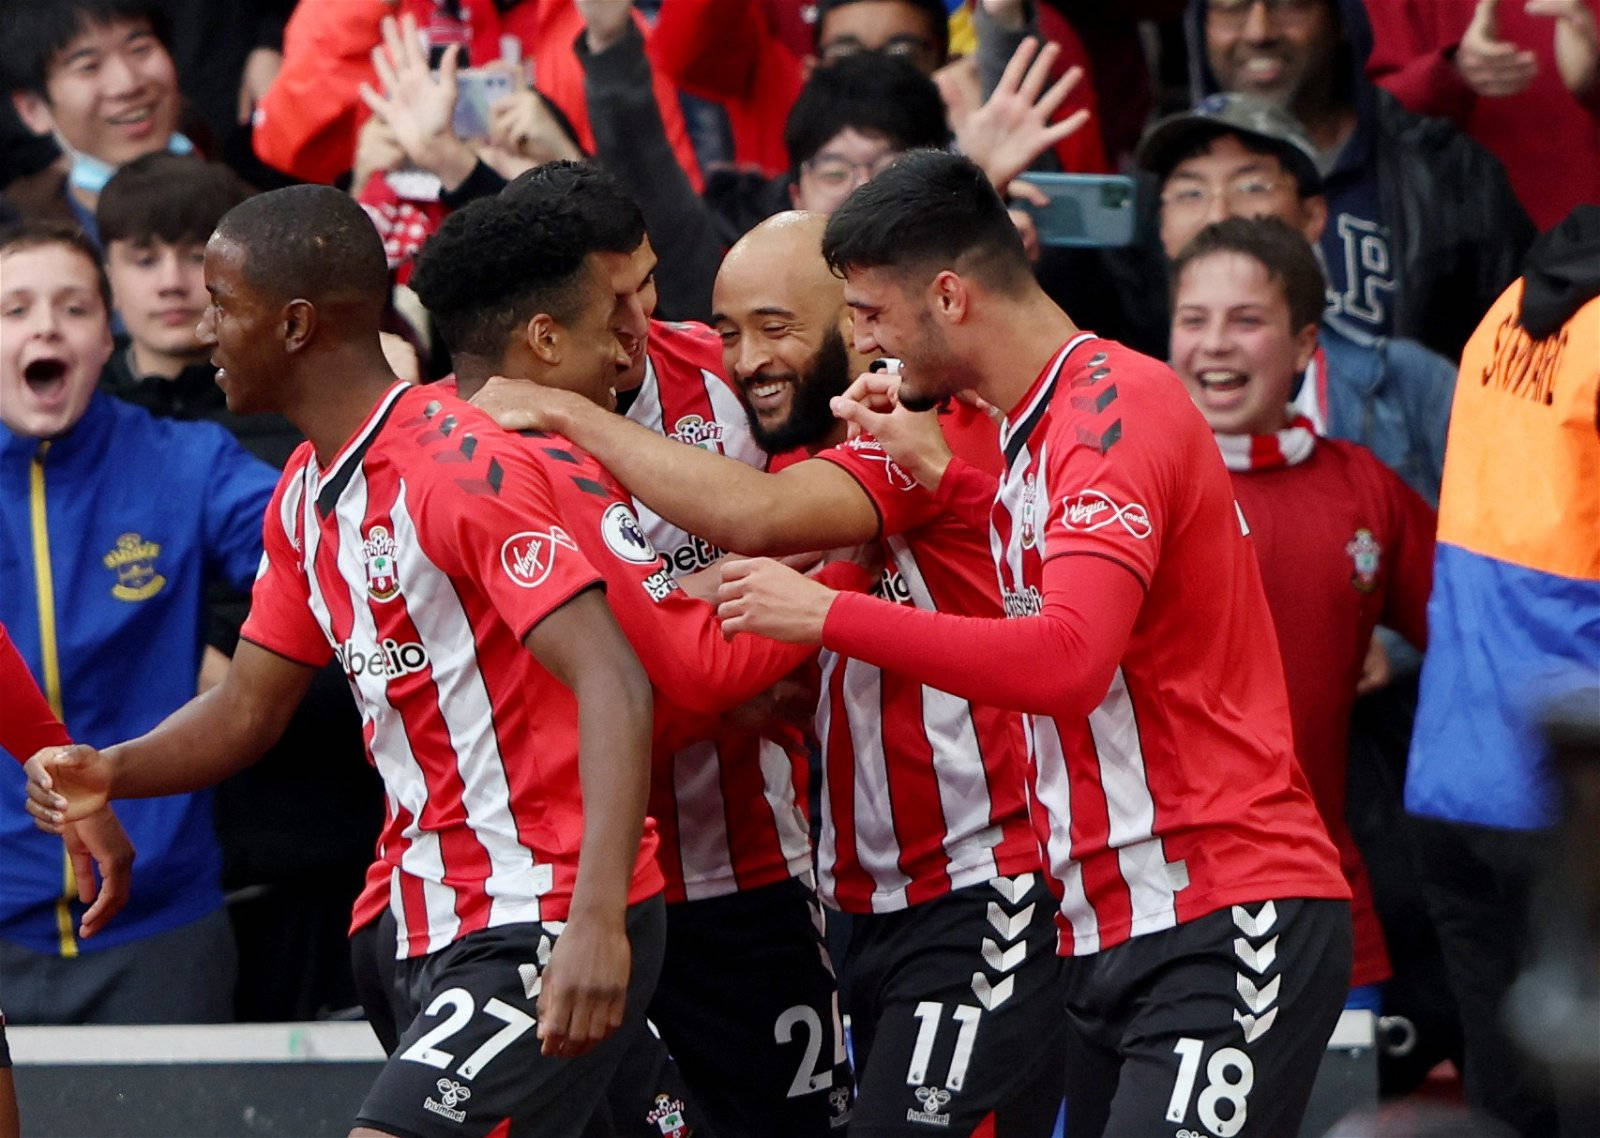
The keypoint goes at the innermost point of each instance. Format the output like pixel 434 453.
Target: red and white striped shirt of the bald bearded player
pixel 924 791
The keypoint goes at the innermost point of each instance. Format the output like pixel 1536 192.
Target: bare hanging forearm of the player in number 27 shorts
pixel 614 771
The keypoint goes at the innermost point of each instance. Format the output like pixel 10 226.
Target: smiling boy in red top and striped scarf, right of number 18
pixel 1342 542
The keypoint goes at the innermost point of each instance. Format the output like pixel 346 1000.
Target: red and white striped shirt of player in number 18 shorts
pixel 1180 793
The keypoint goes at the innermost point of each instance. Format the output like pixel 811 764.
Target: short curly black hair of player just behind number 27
pixel 498 263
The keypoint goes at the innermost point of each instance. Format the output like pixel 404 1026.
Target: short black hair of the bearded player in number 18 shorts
pixel 929 212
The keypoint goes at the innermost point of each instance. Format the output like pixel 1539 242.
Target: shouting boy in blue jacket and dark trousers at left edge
pixel 108 561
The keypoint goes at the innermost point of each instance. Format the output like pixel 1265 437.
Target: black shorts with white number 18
pixel 1210 1030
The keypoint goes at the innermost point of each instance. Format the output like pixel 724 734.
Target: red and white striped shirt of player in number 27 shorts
pixel 422 558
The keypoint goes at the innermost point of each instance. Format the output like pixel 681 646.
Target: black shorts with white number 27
pixel 470 1057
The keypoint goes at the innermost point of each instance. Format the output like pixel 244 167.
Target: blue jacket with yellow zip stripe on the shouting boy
pixel 138 518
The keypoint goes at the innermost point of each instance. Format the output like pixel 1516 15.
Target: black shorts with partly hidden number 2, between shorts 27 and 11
pixel 750 1009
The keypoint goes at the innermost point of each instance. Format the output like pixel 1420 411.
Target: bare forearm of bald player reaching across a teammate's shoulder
pixel 714 497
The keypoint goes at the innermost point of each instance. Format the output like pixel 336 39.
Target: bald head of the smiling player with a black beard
pixel 783 323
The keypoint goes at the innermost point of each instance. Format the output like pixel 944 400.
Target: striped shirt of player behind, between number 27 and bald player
pixel 732 807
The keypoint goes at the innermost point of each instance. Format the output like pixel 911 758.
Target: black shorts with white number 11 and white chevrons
pixel 956 1014
